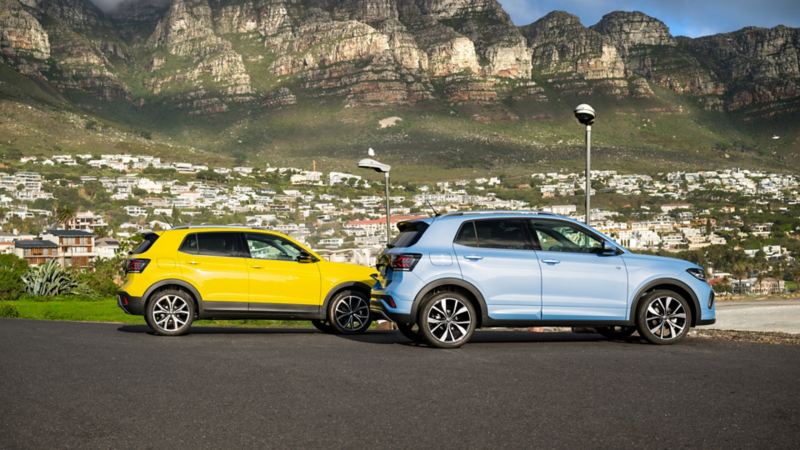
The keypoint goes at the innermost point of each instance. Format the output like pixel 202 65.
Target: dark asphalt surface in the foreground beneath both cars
pixel 104 385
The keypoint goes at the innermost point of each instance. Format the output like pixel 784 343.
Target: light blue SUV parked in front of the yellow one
pixel 445 276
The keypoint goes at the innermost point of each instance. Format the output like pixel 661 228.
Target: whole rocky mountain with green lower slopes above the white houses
pixel 269 77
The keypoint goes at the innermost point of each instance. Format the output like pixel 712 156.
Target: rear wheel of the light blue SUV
pixel 454 311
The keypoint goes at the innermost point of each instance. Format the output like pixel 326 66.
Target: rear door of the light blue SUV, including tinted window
pixel 497 256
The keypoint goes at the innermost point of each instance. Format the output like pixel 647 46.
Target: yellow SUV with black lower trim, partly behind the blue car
pixel 213 272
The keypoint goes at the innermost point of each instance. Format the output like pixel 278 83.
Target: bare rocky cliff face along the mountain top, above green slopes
pixel 205 56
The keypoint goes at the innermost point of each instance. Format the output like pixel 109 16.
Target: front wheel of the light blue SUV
pixel 664 317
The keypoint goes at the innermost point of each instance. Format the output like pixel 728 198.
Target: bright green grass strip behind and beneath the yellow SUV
pixel 106 310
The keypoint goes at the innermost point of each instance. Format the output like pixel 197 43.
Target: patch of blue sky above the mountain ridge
pixel 683 17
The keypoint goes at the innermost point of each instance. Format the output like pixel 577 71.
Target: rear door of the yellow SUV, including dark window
pixel 213 262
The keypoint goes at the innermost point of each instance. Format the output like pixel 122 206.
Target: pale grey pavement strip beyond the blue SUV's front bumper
pixel 759 315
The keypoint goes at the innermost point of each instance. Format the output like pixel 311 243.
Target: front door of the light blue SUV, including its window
pixel 578 280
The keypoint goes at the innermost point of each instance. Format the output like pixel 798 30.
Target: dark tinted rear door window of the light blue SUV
pixel 494 233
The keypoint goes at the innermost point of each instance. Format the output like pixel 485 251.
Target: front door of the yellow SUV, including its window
pixel 281 279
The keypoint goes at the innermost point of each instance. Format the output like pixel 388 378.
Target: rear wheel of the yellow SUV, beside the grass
pixel 170 312
